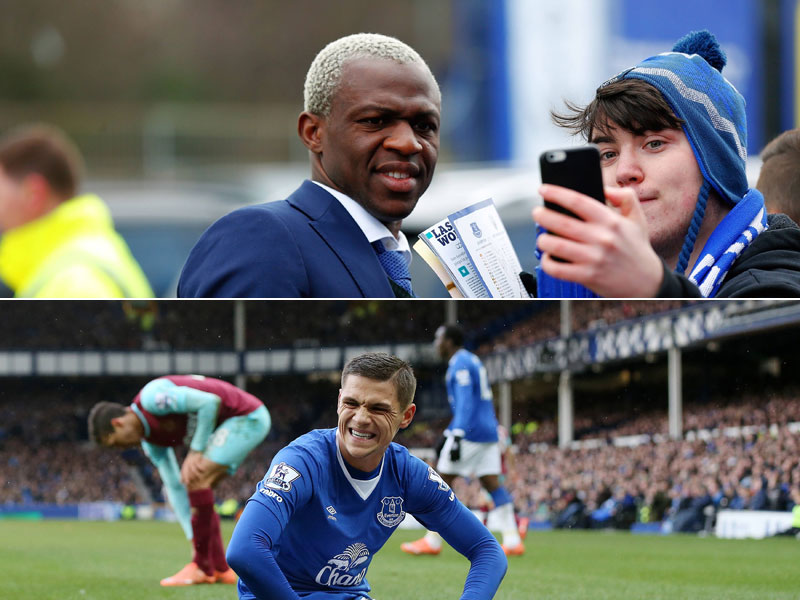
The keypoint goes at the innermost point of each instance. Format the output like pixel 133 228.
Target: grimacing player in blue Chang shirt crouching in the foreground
pixel 332 498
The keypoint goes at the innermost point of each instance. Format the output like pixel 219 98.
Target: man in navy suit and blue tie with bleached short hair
pixel 371 125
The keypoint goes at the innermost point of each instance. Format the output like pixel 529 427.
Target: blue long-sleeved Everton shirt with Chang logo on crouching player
pixel 314 524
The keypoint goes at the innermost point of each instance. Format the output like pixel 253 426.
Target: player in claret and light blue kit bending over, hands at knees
pixel 228 423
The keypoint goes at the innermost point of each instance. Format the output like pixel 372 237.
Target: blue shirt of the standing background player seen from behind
pixel 470 398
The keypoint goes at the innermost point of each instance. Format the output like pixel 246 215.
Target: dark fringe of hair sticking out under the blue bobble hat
pixel 631 104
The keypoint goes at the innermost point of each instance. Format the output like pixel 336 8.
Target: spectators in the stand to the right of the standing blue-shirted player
pixel 672 480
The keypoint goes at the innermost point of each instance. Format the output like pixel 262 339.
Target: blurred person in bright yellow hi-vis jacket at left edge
pixel 56 243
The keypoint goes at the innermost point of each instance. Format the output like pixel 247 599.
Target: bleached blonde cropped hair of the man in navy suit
pixel 325 73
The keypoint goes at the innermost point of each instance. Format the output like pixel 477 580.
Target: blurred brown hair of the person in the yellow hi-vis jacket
pixel 46 151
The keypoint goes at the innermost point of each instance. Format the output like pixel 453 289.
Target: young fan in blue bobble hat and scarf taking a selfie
pixel 680 220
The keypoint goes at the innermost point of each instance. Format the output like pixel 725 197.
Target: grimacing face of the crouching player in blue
pixel 369 417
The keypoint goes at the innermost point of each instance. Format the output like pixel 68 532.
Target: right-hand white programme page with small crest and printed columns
pixel 485 239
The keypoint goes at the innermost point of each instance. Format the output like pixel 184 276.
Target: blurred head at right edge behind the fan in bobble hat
pixel 779 178
